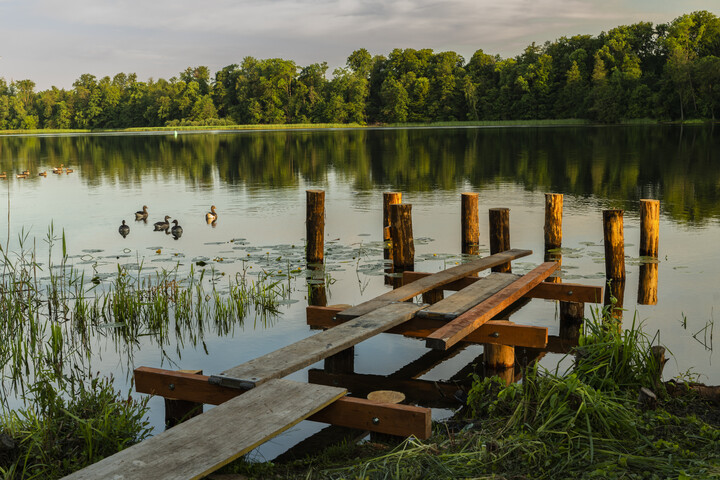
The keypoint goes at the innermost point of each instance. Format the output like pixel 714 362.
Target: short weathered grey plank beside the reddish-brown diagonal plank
pixel 457 304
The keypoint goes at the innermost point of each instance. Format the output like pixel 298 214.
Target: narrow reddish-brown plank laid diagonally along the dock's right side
pixel 457 329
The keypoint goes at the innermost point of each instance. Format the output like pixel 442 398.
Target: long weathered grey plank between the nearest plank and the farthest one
pixel 301 354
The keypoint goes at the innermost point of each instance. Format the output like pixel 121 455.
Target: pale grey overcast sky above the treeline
pixel 54 42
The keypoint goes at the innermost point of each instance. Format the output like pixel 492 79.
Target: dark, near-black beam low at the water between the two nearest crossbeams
pixel 428 393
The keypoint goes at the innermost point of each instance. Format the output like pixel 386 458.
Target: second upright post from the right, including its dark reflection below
pixel 614 239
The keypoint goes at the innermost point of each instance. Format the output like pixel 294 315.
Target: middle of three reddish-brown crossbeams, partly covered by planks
pixel 497 332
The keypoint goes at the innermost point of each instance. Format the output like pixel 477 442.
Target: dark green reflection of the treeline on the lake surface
pixel 622 164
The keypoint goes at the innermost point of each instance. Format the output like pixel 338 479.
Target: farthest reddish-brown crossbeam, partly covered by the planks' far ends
pixel 565 292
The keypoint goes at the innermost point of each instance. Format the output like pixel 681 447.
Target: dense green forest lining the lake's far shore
pixel 664 72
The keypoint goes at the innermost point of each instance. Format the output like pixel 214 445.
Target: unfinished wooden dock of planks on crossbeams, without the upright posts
pixel 255 403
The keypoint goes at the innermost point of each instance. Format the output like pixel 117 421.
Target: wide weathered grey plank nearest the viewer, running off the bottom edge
pixel 205 443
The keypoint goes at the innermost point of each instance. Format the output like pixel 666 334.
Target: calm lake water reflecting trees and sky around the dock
pixel 258 180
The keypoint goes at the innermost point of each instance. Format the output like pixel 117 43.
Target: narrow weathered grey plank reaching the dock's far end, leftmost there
pixel 435 280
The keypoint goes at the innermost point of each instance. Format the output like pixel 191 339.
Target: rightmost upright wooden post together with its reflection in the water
pixel 649 239
